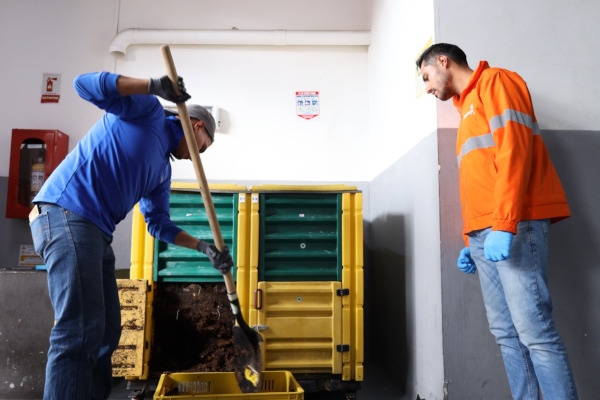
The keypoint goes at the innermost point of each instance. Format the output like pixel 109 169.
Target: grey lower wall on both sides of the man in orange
pixel 472 361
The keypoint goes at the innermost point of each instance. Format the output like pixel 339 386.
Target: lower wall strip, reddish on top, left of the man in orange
pixel 472 361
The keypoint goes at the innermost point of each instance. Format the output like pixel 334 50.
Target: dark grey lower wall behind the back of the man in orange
pixel 574 276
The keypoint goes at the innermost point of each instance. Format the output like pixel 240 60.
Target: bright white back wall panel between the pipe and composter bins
pixel 255 88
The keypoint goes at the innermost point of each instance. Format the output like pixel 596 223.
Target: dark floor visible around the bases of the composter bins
pixel 376 386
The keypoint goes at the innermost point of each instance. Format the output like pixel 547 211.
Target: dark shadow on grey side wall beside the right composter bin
pixel 385 300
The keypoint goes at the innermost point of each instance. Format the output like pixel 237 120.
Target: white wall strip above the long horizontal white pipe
pixel 244 14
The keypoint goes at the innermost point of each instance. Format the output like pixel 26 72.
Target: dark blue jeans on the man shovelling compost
pixel 83 291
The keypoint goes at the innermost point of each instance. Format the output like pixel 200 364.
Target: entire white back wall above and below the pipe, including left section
pixel 263 139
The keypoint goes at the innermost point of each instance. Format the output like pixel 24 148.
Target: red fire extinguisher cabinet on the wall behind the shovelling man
pixel 34 154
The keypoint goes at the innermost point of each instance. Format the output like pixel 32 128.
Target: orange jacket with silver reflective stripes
pixel 506 175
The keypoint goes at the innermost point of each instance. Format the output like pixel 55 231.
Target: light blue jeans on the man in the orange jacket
pixel 519 312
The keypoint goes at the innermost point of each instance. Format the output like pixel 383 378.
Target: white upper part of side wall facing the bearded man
pixel 399 120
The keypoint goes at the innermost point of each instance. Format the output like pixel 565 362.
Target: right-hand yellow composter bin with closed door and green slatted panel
pixel 306 271
